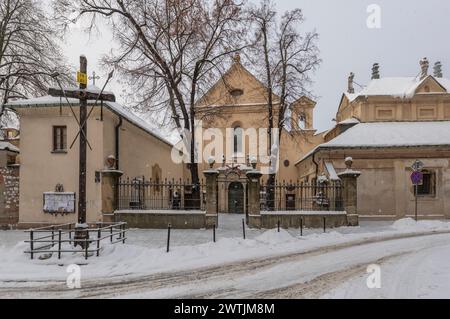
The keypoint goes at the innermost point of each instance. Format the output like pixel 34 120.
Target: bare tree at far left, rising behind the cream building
pixel 28 51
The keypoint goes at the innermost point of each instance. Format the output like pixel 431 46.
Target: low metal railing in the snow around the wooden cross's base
pixel 61 238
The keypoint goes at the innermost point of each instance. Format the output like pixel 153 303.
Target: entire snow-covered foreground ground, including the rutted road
pixel 266 264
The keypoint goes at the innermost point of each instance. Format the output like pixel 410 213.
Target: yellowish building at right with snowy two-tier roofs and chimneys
pixel 385 128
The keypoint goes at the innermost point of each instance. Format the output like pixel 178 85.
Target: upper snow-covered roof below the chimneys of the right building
pixel 404 87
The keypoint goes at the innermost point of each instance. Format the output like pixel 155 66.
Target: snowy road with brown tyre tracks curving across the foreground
pixel 412 266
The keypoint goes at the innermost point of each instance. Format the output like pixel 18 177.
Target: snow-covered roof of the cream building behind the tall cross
pixel 113 106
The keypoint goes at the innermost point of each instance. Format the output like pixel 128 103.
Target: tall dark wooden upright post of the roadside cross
pixel 83 148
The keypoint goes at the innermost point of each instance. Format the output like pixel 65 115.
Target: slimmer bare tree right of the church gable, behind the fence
pixel 285 58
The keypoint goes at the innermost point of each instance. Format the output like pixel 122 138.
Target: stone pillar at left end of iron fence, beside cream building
pixel 110 179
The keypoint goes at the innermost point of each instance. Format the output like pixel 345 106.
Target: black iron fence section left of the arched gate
pixel 142 194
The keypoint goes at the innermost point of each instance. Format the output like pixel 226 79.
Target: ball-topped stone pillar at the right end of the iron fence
pixel 349 179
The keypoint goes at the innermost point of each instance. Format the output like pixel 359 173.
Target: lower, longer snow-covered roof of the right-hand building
pixel 390 134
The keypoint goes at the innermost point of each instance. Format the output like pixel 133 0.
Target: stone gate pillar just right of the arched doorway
pixel 254 198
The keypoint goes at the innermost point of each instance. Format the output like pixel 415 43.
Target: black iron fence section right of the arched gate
pixel 299 196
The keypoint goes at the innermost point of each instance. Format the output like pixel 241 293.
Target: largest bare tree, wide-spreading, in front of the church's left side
pixel 170 51
